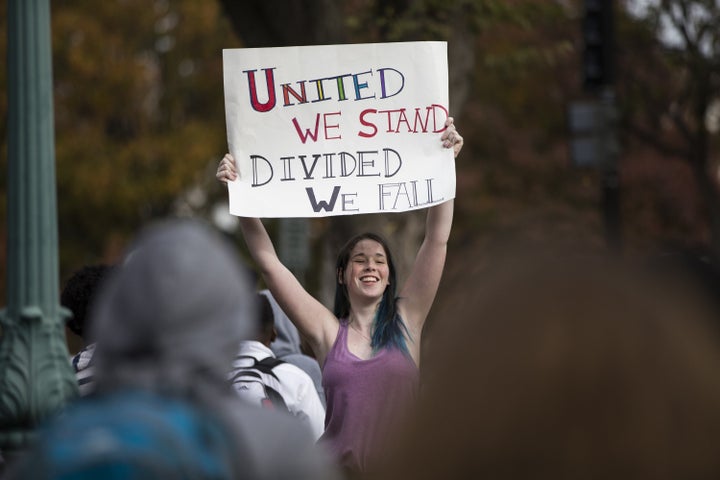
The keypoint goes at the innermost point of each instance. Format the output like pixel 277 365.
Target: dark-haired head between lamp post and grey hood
pixel 79 292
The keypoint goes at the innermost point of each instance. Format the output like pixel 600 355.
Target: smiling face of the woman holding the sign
pixel 367 273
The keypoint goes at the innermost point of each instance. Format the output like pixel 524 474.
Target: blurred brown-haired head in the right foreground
pixel 565 367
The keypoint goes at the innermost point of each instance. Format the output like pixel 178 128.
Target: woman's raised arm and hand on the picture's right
pixel 418 293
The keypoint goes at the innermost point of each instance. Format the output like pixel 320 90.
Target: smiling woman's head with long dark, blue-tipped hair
pixel 365 269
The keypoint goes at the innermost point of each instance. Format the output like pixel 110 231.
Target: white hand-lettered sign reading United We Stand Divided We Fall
pixel 337 129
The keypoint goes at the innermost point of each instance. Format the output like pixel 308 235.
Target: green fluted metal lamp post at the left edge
pixel 36 378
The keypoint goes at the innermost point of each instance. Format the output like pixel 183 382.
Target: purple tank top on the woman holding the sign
pixel 365 399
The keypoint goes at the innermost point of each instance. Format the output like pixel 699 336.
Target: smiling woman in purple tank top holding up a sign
pixel 369 346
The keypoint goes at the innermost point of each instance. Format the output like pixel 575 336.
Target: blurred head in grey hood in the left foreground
pixel 172 316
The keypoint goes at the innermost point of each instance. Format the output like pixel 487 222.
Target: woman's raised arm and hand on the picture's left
pixel 314 321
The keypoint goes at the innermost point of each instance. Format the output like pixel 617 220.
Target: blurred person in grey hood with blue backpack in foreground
pixel 167 324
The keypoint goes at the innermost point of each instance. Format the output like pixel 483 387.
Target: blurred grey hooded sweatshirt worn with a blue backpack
pixel 170 320
